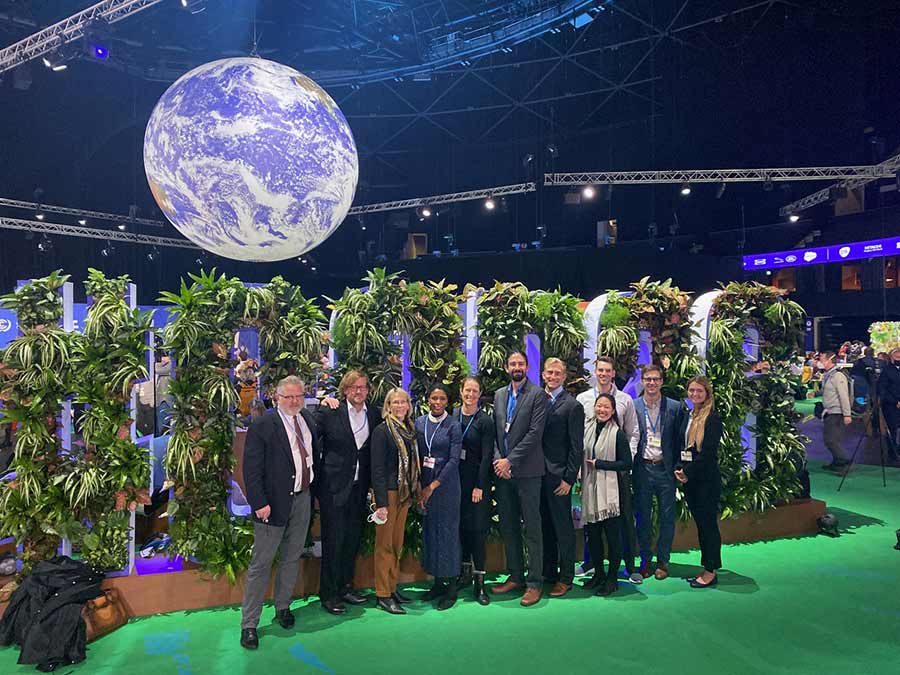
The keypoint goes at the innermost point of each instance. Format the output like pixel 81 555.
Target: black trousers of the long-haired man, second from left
pixel 341 532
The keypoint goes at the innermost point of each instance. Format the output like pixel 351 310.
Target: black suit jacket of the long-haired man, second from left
pixel 339 453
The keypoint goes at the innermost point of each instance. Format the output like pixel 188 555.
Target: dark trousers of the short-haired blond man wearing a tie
pixel 559 533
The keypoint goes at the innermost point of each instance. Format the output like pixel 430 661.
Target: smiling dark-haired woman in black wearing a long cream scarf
pixel 607 458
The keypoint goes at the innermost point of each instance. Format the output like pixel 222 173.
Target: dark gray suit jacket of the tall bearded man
pixel 523 442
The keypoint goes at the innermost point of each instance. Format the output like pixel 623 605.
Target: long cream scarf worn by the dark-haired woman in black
pixel 599 488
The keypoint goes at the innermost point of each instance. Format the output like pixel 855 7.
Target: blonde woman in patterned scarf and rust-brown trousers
pixel 395 482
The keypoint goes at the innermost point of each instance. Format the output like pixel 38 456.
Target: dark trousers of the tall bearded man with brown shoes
pixel 519 500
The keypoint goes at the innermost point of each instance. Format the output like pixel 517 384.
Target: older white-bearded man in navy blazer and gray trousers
pixel 281 463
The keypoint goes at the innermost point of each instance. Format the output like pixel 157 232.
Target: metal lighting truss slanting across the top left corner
pixel 69 30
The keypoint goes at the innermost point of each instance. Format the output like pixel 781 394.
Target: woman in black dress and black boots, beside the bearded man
pixel 475 484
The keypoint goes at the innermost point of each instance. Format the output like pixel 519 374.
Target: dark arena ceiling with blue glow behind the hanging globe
pixel 446 96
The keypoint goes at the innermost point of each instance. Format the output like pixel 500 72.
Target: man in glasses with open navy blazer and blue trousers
pixel 654 470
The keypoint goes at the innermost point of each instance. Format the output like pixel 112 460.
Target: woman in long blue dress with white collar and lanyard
pixel 440 444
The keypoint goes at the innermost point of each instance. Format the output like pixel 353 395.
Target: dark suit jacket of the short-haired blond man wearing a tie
pixel 563 439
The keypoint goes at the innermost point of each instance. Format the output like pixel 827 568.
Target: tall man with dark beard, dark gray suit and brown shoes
pixel 519 413
